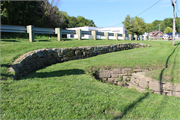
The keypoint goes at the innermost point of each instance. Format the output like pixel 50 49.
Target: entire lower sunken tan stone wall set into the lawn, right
pixel 135 78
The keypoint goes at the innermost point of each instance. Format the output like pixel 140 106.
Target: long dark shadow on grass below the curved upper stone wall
pixel 58 73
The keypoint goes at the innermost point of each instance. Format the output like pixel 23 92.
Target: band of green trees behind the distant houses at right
pixel 137 25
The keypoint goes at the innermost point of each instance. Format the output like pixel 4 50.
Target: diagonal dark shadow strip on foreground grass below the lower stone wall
pixel 129 107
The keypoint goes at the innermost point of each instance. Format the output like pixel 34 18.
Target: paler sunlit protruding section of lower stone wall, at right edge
pixel 141 83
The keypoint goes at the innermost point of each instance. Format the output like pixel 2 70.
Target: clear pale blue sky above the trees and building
pixel 111 13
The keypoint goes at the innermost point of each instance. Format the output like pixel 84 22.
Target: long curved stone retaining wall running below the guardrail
pixel 44 57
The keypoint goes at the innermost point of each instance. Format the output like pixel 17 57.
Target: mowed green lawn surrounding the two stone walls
pixel 67 91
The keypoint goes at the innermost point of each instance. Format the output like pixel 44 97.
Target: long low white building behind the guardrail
pixel 120 30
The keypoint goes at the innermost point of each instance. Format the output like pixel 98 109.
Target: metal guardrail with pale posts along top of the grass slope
pixel 31 30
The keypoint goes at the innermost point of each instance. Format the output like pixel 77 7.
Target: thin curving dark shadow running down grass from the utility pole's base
pixel 162 71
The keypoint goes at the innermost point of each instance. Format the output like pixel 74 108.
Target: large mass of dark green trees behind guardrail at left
pixel 40 14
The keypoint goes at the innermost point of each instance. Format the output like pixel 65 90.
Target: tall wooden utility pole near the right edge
pixel 174 20
